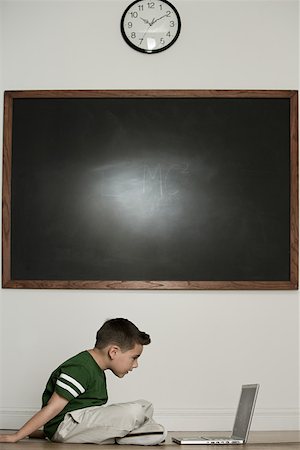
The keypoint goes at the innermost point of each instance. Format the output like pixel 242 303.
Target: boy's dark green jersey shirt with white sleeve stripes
pixel 81 381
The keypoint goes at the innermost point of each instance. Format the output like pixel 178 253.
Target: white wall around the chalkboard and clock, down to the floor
pixel 205 343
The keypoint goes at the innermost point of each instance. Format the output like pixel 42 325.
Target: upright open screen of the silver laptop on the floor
pixel 245 411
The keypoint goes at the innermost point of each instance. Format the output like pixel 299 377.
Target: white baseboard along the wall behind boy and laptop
pixel 187 419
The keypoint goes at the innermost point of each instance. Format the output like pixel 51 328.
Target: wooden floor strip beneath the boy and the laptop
pixel 258 440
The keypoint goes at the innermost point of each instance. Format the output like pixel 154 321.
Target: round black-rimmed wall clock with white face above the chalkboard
pixel 150 26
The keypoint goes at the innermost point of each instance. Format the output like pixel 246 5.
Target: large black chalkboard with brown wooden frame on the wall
pixel 150 190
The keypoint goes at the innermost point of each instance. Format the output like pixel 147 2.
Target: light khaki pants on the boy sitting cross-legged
pixel 102 424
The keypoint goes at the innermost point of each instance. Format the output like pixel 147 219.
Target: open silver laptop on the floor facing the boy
pixel 241 425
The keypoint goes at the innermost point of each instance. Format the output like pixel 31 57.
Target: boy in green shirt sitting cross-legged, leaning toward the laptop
pixel 72 404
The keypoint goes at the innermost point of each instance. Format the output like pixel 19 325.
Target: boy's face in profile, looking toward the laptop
pixel 126 361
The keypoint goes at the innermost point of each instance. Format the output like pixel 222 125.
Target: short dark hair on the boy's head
pixel 120 332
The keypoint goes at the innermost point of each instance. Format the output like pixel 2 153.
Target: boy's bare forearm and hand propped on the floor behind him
pixel 55 405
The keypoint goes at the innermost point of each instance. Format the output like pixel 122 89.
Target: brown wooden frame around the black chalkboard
pixel 8 282
